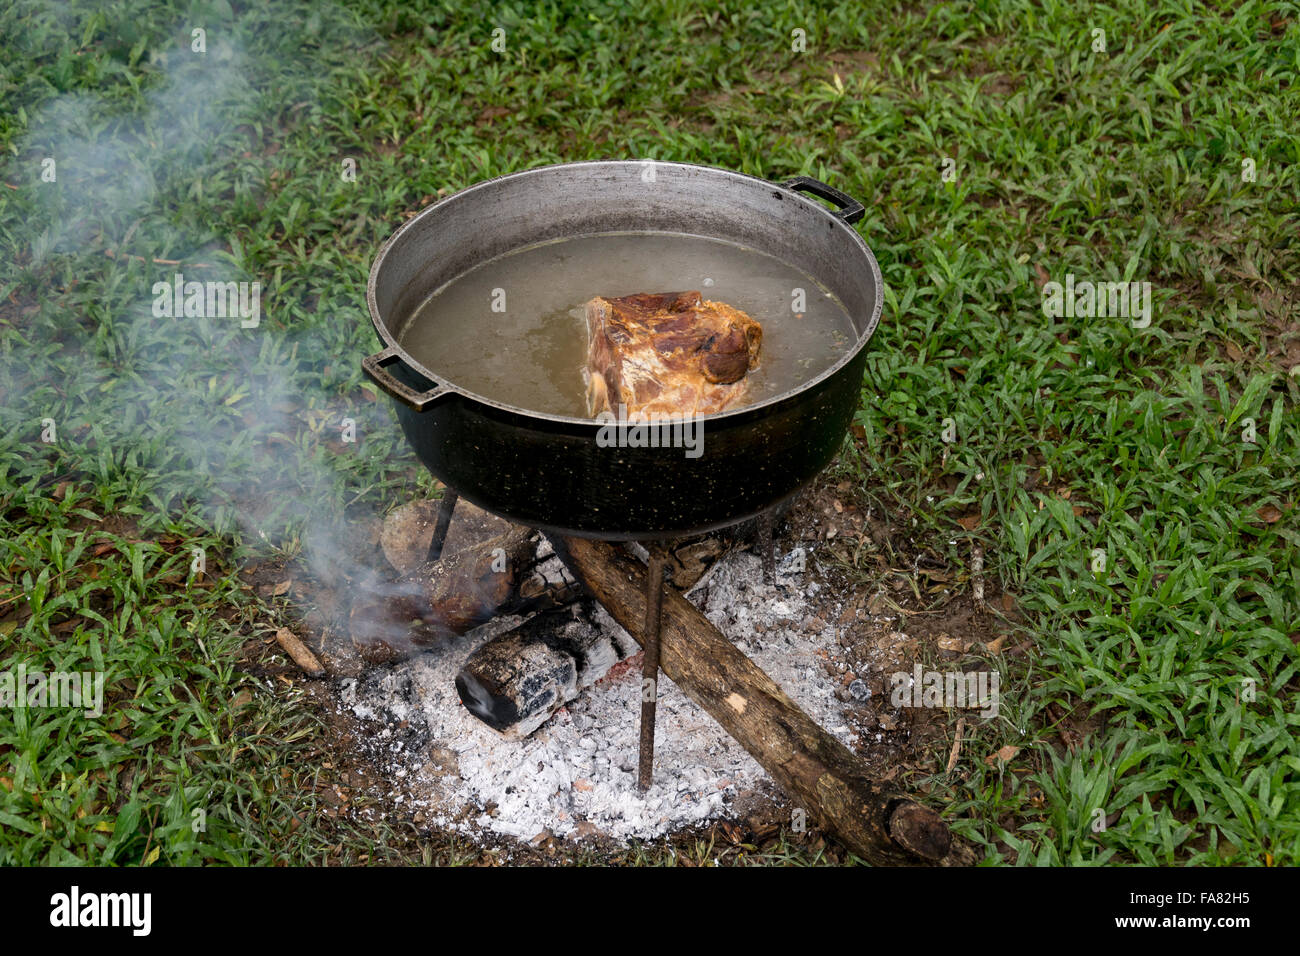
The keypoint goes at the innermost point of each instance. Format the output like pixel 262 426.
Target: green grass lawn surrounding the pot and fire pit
pixel 179 434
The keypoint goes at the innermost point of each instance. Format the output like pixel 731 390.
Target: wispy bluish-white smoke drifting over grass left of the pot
pixel 263 430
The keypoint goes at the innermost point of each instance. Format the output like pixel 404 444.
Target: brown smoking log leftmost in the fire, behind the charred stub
pixel 440 600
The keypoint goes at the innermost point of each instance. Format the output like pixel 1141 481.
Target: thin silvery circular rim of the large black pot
pixel 448 388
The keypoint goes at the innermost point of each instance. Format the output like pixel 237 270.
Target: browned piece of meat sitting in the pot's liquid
pixel 668 354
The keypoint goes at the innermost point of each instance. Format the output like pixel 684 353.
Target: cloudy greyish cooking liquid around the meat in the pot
pixel 531 352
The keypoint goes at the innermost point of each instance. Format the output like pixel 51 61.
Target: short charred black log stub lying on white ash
pixel 515 682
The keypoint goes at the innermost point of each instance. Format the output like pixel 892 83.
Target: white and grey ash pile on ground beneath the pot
pixel 577 777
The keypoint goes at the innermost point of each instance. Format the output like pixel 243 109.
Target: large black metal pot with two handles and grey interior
pixel 549 471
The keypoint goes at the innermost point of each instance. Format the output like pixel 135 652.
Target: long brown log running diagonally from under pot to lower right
pixel 822 776
